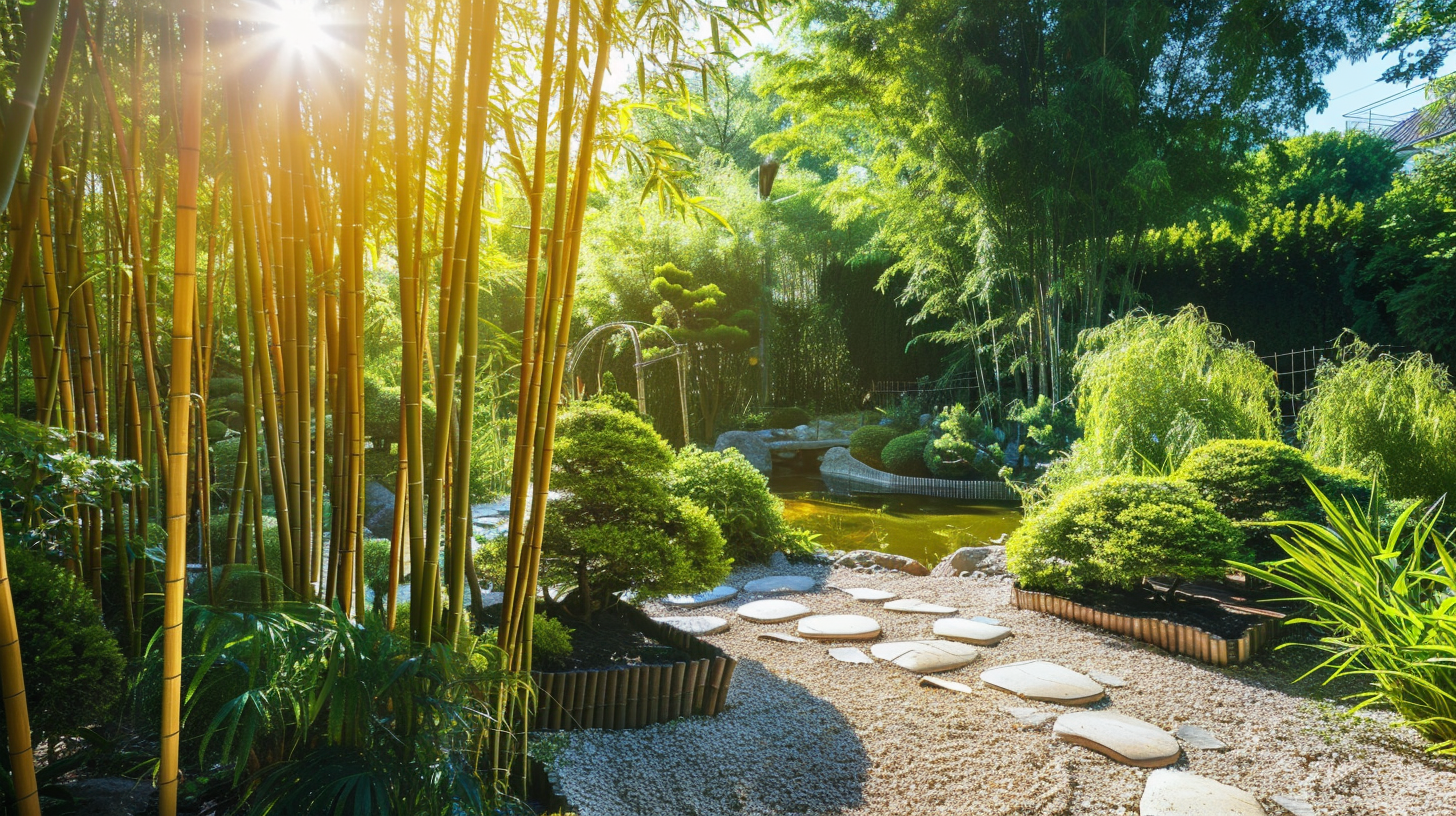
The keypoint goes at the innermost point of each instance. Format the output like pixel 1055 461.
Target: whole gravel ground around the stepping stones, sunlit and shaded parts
pixel 803 734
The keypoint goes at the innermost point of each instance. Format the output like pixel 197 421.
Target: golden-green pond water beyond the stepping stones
pixel 921 527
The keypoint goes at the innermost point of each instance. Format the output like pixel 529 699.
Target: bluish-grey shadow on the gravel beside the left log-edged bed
pixel 775 750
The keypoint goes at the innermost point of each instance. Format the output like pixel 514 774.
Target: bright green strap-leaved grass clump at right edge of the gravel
pixel 1387 603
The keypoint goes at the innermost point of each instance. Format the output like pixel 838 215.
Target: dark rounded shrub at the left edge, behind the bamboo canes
pixel 74 667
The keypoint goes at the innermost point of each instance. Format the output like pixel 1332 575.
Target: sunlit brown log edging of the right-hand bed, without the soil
pixel 1179 639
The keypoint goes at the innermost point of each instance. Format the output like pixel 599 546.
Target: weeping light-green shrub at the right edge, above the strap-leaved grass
pixel 1393 417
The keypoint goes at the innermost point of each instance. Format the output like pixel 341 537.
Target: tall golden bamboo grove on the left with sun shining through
pixel 205 189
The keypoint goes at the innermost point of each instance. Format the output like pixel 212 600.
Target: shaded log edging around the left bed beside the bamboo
pixel 633 697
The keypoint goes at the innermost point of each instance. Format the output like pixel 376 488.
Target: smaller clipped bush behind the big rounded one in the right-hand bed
pixel 1249 479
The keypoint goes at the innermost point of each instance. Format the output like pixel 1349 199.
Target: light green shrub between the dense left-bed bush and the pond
pixel 737 496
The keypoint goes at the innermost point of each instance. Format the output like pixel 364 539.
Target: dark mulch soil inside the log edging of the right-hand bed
pixel 1225 620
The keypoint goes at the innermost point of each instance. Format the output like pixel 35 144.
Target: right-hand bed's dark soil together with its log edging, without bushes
pixel 1198 624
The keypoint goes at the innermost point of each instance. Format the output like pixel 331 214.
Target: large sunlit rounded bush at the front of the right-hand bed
pixel 1117 531
